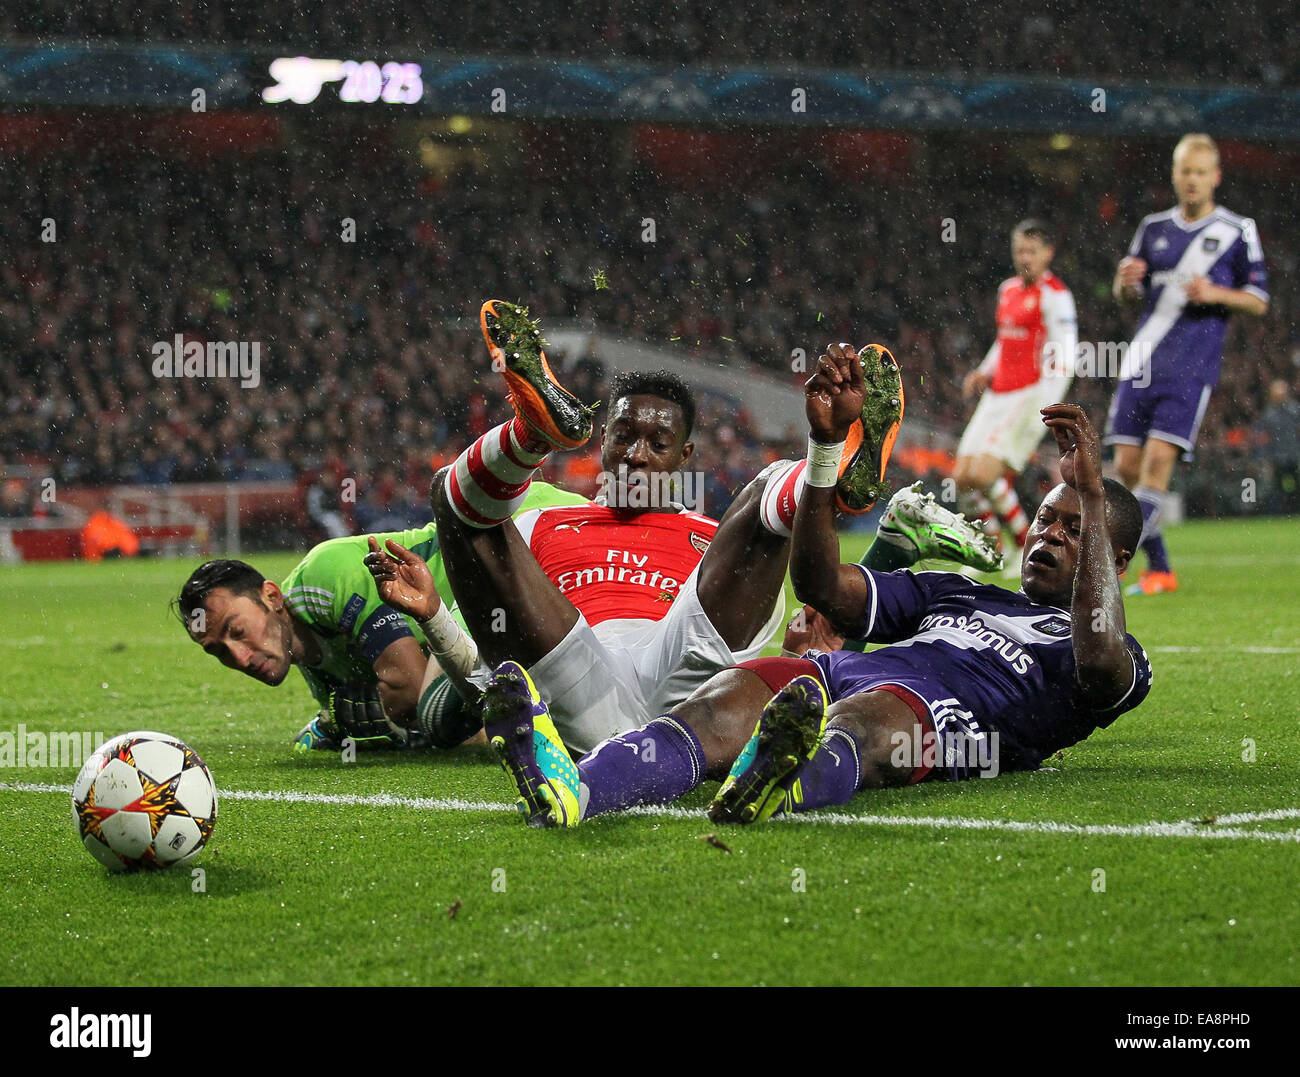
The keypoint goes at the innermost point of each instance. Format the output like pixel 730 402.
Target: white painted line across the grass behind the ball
pixel 1220 829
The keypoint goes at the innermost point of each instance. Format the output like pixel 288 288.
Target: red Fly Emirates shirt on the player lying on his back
pixel 616 564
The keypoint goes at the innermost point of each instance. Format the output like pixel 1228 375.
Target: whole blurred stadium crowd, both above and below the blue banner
pixel 372 367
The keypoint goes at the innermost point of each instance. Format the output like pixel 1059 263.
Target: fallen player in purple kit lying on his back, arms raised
pixel 976 678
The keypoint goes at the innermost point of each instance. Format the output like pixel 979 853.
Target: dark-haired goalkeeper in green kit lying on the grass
pixel 366 664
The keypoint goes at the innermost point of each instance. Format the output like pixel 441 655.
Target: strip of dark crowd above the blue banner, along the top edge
pixel 1260 44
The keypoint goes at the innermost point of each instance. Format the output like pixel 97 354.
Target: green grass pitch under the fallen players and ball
pixel 413 870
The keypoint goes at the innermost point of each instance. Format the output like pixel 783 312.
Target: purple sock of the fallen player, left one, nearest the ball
pixel 653 765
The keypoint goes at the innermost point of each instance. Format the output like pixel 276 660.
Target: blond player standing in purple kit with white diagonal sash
pixel 1194 267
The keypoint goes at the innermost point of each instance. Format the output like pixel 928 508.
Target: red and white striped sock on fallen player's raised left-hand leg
pixel 489 481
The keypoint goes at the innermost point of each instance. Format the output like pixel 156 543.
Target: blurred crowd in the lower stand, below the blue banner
pixel 372 366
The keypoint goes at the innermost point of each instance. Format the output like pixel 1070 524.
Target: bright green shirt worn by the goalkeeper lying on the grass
pixel 335 595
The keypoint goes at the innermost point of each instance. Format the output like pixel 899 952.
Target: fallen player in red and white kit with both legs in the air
pixel 616 612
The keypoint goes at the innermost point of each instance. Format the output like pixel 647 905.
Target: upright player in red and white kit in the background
pixel 1029 367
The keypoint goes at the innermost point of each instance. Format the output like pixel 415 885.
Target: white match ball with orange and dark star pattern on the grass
pixel 144 801
